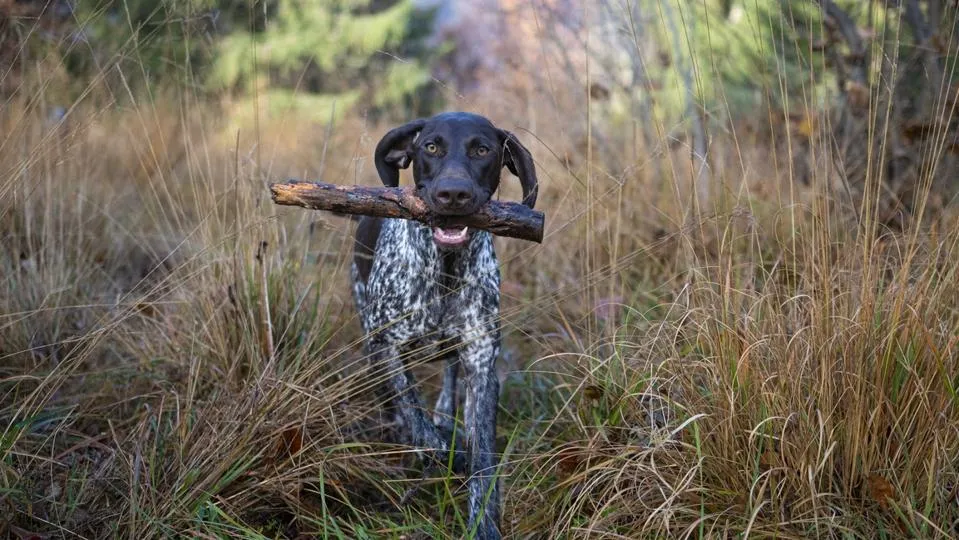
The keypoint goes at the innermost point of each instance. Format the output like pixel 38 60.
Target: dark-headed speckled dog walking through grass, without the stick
pixel 420 288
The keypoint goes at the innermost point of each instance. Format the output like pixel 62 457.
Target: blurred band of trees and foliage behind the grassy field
pixel 658 76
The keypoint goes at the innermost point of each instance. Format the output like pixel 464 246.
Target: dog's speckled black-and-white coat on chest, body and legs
pixel 419 298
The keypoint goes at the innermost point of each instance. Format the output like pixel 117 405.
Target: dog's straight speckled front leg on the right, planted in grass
pixel 482 397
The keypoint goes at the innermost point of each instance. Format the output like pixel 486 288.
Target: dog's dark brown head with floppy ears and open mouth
pixel 457 159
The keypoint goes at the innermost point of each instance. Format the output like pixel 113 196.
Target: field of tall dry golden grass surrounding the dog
pixel 762 353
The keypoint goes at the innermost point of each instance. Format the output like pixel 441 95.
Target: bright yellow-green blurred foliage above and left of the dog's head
pixel 331 51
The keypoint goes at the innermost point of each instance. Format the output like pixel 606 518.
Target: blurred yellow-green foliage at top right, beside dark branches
pixel 736 54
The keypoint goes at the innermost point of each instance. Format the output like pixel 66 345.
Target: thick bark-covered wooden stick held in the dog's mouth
pixel 509 219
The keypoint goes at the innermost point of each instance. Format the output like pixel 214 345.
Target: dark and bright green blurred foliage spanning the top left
pixel 302 55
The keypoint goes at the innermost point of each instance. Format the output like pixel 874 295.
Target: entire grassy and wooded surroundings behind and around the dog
pixel 743 319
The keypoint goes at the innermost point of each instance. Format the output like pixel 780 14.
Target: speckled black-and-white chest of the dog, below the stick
pixel 416 292
